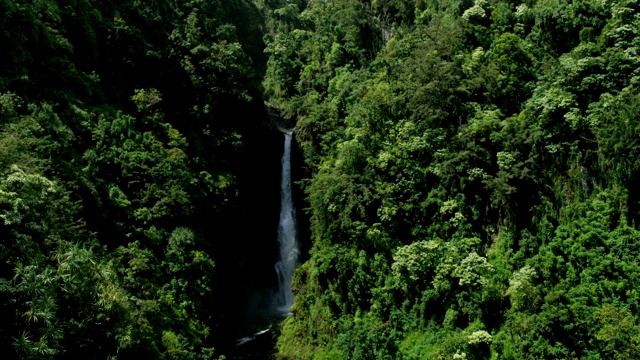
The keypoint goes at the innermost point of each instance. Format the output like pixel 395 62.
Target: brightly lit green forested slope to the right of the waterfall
pixel 474 176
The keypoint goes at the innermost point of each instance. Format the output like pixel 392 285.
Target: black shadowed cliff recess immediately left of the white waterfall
pixel 246 240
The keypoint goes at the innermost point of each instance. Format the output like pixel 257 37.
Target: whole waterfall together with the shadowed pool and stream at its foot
pixel 273 306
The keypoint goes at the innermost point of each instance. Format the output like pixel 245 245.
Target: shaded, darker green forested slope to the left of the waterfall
pixel 119 137
